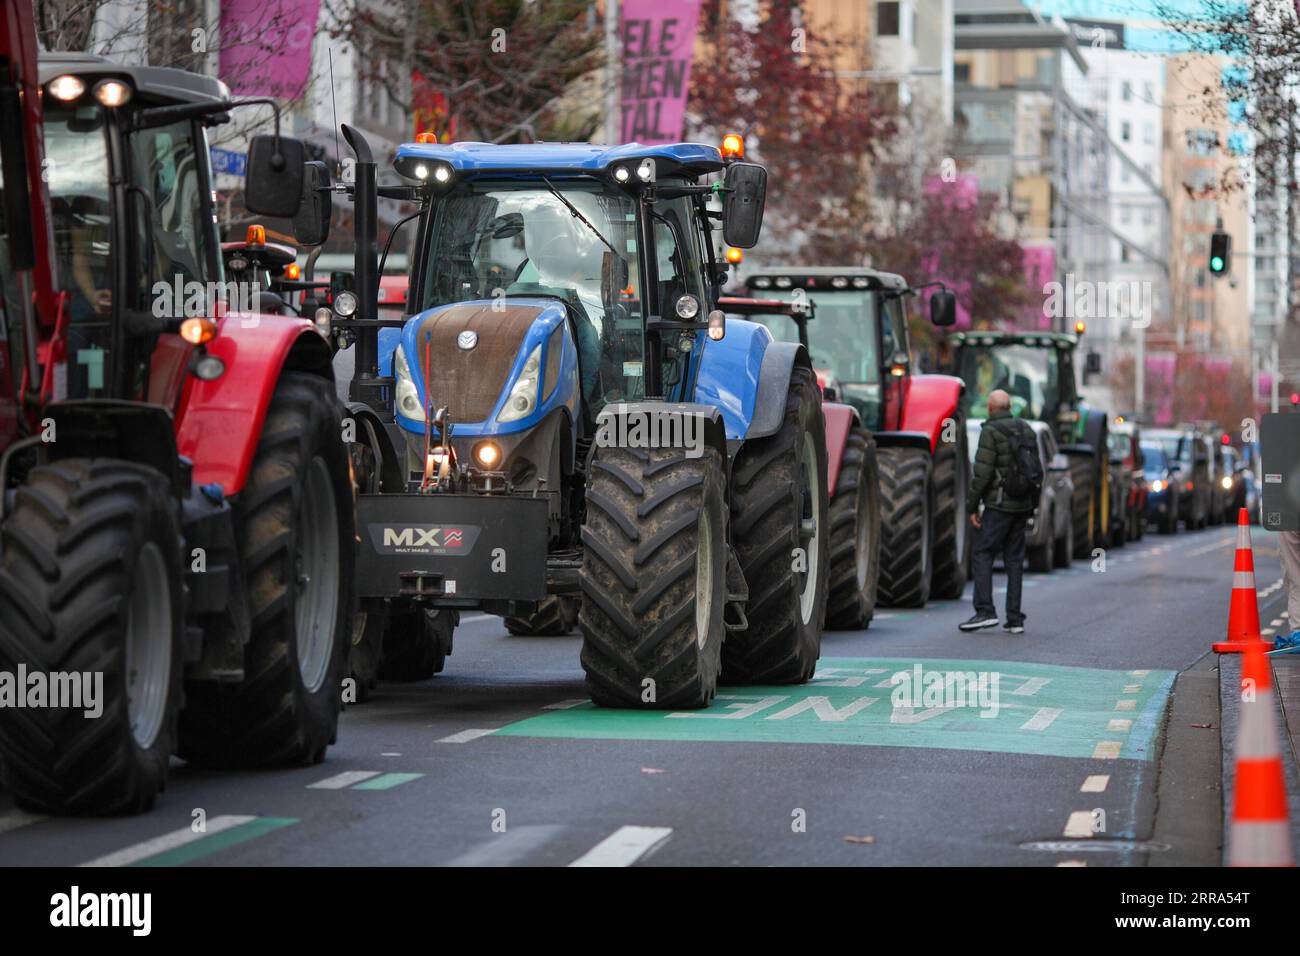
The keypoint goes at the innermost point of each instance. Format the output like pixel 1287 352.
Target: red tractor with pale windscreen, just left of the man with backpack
pixel 861 347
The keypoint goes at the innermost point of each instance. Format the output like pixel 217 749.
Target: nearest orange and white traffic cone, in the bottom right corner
pixel 1262 833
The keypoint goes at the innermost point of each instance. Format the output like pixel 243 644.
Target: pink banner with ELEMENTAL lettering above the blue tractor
pixel 658 45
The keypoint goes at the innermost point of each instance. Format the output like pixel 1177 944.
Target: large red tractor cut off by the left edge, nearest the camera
pixel 176 521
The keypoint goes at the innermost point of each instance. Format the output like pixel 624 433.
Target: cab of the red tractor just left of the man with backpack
pixel 860 338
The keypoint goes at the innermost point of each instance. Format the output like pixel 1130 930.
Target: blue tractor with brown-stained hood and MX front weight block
pixel 569 419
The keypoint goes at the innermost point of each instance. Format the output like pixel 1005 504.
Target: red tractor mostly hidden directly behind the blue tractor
pixel 853 479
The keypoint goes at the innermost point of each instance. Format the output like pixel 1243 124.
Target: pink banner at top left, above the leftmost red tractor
pixel 267 46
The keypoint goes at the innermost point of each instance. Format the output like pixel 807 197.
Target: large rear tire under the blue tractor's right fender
pixel 781 524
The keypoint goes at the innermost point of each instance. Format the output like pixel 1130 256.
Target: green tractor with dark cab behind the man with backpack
pixel 1037 369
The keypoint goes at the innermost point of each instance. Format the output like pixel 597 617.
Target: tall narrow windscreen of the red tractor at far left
pixel 77 176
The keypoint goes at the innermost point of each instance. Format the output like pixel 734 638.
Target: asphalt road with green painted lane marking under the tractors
pixel 501 760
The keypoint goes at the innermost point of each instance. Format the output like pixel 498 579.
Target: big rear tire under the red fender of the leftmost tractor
pixel 294 527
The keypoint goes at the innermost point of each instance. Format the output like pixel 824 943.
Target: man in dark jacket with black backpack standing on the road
pixel 1002 530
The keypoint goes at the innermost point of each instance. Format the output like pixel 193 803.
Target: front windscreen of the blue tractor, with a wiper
pixel 497 240
